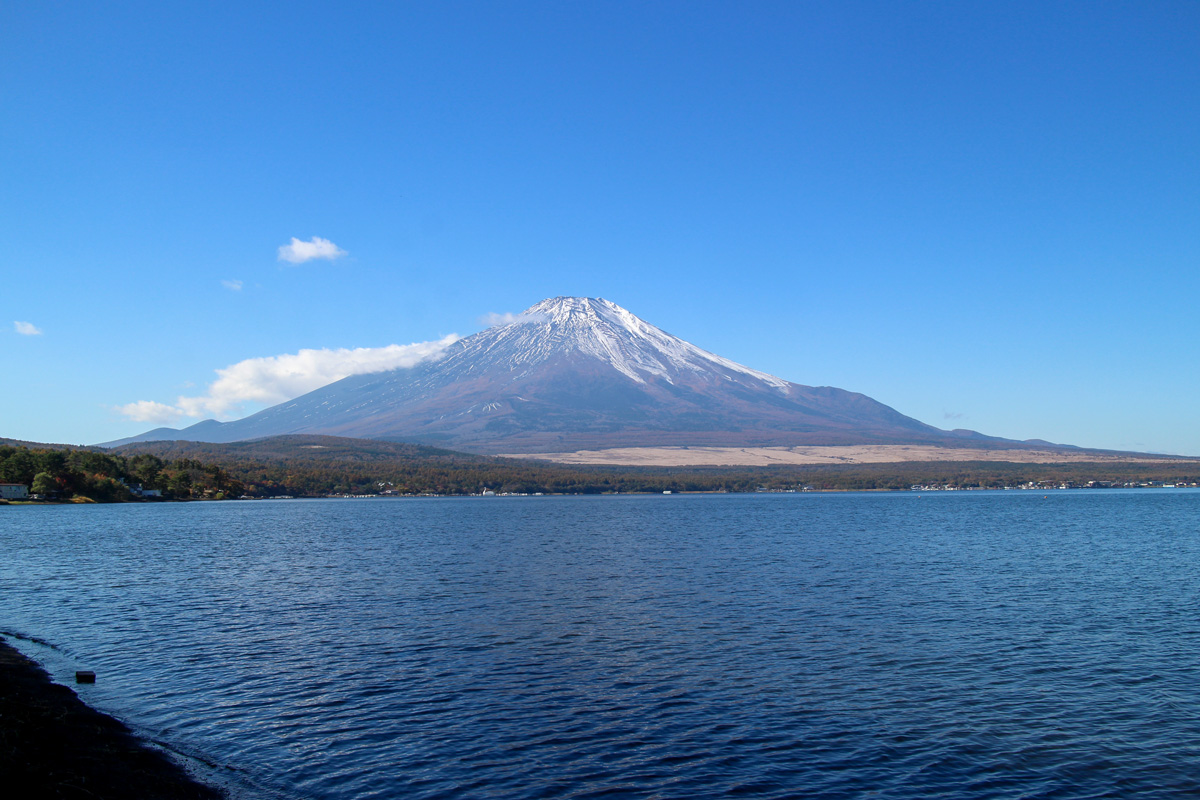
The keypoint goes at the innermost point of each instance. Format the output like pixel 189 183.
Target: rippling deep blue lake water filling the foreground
pixel 826 646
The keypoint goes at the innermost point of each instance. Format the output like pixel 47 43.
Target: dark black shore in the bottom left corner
pixel 52 745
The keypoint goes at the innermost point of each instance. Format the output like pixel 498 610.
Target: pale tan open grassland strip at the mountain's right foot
pixel 825 455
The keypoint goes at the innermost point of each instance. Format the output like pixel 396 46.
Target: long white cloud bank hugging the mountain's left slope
pixel 278 378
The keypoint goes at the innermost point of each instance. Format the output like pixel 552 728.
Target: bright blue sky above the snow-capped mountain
pixel 983 215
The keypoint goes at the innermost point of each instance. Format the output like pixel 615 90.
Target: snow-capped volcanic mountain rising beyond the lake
pixel 573 374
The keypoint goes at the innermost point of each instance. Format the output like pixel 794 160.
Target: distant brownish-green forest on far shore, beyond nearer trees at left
pixel 309 466
